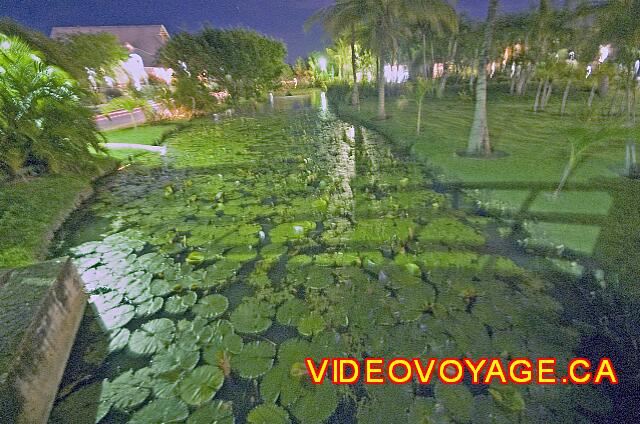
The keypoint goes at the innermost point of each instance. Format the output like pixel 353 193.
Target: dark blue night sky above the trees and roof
pixel 282 19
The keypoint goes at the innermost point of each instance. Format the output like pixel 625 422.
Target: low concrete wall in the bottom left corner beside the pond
pixel 41 307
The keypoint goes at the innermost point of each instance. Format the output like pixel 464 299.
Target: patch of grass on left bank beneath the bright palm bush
pixel 32 209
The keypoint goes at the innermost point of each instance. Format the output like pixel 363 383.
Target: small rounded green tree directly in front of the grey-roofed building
pixel 100 52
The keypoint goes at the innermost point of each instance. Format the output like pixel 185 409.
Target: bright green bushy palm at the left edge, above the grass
pixel 43 125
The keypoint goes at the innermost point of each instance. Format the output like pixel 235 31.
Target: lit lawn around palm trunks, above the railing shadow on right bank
pixel 536 147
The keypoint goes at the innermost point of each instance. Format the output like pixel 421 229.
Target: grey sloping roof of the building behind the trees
pixel 146 40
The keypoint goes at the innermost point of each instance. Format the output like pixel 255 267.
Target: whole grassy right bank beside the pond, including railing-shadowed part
pixel 595 216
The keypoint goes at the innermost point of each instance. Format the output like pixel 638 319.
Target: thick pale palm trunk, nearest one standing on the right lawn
pixel 479 142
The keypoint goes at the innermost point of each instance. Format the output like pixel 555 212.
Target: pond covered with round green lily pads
pixel 261 240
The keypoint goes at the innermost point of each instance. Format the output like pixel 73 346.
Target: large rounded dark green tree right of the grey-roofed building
pixel 241 61
